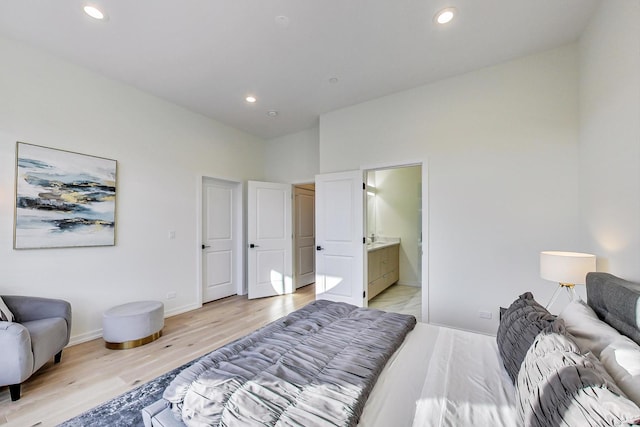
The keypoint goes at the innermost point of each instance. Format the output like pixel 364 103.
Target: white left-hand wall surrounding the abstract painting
pixel 162 152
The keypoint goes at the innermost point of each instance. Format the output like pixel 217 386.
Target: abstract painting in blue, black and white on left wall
pixel 63 199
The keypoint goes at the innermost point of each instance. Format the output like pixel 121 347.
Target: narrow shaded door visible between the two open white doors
pixel 304 237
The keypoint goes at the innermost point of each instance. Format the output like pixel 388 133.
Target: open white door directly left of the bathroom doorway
pixel 339 237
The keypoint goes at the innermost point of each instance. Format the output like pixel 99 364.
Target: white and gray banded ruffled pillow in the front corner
pixel 558 386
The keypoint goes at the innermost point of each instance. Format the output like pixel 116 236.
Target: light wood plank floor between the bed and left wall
pixel 89 374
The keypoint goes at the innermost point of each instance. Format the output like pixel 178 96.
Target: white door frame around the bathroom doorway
pixel 424 262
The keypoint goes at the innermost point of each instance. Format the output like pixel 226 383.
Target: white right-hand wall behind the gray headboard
pixel 610 136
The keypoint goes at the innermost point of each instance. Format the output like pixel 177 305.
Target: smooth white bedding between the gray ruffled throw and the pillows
pixel 442 377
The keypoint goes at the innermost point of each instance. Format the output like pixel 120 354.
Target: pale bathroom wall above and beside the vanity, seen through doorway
pixel 398 215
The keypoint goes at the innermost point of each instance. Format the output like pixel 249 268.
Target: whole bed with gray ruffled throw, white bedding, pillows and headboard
pixel 541 370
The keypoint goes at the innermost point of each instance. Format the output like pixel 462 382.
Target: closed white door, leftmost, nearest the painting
pixel 220 240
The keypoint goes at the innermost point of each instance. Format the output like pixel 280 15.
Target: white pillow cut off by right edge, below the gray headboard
pixel 621 359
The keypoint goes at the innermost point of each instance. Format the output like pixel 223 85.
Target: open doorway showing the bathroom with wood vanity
pixel 394 239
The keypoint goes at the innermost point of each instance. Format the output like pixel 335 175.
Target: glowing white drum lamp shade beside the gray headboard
pixel 566 267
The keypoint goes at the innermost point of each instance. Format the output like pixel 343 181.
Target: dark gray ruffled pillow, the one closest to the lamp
pixel 519 326
